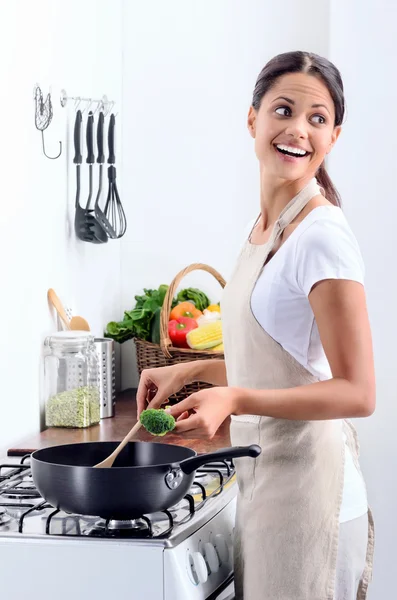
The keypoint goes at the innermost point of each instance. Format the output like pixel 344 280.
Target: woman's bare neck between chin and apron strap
pixel 275 195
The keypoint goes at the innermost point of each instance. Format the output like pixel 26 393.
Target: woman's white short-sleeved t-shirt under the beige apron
pixel 322 246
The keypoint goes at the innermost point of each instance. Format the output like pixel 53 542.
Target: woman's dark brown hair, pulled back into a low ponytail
pixel 312 64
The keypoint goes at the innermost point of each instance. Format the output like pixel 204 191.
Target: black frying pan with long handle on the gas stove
pixel 146 477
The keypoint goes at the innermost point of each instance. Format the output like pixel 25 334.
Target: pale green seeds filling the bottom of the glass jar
pixel 73 408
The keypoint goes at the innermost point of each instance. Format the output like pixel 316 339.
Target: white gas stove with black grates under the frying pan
pixel 183 553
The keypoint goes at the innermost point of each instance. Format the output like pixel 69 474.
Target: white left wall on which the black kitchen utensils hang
pixel 77 46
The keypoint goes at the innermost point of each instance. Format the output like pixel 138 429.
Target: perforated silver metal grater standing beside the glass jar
pixel 106 376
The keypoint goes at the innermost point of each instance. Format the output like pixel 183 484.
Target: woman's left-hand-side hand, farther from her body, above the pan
pixel 156 385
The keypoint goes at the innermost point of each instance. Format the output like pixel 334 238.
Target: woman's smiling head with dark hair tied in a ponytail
pixel 299 115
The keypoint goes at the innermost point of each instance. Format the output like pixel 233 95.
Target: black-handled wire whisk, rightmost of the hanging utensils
pixel 114 211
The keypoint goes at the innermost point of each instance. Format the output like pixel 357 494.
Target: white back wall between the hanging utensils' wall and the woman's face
pixel 189 165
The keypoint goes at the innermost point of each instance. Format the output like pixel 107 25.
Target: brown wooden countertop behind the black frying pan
pixel 114 429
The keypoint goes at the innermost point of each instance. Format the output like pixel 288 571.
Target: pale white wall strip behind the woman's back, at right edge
pixel 363 46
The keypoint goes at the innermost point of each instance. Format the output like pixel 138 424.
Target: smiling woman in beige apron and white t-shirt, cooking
pixel 298 356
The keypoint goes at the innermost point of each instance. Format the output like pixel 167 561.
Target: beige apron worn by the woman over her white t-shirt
pixel 287 524
